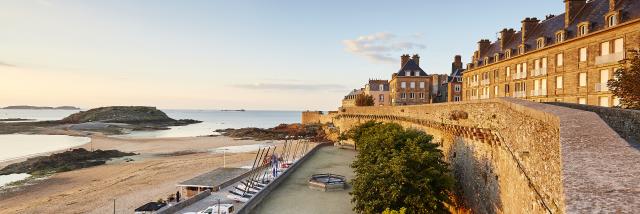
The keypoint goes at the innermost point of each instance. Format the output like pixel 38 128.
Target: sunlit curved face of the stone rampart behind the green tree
pixel 506 157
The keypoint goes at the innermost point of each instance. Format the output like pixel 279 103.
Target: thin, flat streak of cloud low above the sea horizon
pixel 291 87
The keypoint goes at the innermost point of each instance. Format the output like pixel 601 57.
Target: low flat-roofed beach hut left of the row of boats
pixel 213 180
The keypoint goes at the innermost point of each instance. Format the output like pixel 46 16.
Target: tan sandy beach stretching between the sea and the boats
pixel 163 162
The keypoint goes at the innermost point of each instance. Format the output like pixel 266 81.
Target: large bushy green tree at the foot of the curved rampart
pixel 397 168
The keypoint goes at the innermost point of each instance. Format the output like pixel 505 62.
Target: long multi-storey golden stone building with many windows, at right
pixel 564 58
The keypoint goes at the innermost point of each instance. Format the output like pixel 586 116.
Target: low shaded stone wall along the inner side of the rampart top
pixel 625 122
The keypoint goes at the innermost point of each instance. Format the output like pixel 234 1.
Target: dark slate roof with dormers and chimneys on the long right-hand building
pixel 594 11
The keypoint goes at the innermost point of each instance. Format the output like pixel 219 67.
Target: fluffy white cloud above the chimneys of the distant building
pixel 382 46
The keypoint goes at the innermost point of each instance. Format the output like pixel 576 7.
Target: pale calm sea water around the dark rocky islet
pixel 16 146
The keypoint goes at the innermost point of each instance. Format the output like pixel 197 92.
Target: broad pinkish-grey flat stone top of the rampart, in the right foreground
pixel 600 170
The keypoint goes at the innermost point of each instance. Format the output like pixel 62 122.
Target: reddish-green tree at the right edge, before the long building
pixel 626 82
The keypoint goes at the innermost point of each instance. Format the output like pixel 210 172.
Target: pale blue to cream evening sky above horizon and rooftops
pixel 220 54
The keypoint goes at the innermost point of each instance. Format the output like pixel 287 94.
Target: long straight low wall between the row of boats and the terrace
pixel 255 200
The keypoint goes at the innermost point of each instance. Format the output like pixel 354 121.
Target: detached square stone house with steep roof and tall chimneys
pixel 410 85
